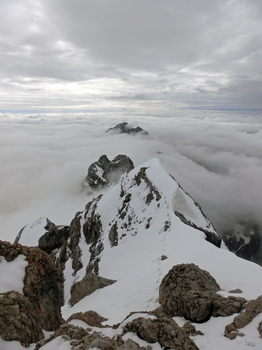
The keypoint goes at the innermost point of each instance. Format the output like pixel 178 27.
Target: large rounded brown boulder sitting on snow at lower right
pixel 188 291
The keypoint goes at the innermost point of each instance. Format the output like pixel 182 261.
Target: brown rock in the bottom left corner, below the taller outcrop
pixel 18 319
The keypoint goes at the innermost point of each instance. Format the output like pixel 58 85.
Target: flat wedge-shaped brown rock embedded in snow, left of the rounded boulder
pixel 87 286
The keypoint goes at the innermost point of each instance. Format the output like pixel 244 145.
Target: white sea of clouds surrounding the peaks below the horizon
pixel 215 156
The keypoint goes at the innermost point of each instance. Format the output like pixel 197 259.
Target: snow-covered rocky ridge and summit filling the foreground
pixel 141 267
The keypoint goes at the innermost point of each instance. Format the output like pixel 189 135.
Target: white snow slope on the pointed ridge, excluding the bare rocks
pixel 151 239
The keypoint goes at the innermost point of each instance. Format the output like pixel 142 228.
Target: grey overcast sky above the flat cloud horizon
pixel 134 56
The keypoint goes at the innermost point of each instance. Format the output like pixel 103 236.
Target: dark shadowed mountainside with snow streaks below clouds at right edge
pixel 243 238
